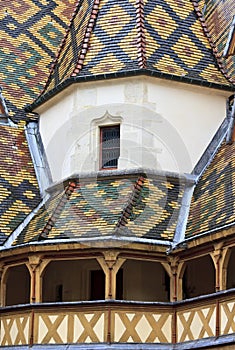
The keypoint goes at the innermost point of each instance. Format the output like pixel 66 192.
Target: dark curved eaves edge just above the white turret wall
pixel 135 72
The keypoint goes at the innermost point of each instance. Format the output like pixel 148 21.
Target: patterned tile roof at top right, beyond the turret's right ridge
pixel 218 18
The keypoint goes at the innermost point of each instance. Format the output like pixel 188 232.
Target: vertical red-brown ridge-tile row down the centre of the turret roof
pixel 141 39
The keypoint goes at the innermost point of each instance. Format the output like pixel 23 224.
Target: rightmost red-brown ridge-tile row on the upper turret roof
pixel 219 59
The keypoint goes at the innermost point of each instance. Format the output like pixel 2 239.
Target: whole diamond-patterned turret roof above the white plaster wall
pixel 107 38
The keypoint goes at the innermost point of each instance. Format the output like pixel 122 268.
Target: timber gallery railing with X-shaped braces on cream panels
pixel 111 321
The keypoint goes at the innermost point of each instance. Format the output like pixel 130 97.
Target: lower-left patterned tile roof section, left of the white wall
pixel 19 193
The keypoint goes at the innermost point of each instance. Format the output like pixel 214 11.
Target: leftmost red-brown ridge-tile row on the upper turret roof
pixel 61 46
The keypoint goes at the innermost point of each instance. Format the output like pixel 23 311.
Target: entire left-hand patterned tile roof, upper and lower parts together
pixel 30 32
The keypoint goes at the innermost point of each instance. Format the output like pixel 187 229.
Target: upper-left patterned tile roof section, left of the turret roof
pixel 30 33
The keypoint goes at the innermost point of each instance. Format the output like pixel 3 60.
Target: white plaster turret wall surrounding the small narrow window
pixel 164 125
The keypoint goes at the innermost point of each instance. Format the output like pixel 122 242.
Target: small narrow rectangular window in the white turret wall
pixel 109 146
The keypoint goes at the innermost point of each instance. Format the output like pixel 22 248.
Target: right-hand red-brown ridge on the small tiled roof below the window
pixel 134 196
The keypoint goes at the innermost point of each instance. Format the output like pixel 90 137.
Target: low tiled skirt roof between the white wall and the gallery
pixel 130 206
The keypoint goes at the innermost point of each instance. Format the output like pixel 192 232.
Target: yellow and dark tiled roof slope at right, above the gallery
pixel 213 204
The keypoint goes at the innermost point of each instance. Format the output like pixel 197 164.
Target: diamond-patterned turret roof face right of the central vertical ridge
pixel 178 32
